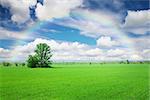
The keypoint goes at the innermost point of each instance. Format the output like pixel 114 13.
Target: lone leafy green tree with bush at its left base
pixel 41 58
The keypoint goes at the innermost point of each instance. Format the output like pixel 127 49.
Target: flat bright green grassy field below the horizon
pixel 76 82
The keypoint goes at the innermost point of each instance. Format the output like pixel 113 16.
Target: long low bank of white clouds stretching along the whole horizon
pixel 72 51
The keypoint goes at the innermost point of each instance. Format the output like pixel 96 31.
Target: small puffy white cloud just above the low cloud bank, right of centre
pixel 106 42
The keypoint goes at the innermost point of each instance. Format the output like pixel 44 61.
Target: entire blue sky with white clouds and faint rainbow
pixel 76 30
